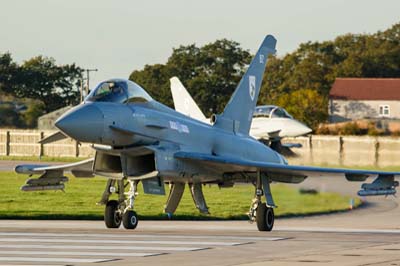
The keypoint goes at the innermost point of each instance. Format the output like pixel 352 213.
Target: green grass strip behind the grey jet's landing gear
pixel 79 201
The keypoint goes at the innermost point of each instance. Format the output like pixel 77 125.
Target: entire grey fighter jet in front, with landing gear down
pixel 139 140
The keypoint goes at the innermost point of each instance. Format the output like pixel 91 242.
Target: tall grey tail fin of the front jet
pixel 238 113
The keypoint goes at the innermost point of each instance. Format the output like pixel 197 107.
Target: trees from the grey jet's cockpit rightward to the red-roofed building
pixel 299 81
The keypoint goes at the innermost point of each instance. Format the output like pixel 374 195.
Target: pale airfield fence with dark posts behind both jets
pixel 317 149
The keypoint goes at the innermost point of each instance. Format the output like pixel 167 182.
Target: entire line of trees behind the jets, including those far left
pixel 299 81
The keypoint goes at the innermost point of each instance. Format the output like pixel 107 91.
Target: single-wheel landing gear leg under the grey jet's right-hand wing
pixel 262 213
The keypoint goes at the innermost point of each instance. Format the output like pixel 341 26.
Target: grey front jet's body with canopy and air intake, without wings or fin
pixel 127 123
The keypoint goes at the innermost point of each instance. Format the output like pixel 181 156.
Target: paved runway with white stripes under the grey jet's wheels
pixel 366 236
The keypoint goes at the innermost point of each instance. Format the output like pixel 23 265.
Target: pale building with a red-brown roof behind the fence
pixel 364 98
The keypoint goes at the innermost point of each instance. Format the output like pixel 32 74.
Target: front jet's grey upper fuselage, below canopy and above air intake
pixel 152 123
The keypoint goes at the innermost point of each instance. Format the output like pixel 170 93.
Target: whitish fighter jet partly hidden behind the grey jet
pixel 270 123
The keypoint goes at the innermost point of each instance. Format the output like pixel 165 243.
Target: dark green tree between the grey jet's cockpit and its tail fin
pixel 210 73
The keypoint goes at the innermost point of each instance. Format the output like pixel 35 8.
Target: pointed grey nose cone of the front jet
pixel 84 123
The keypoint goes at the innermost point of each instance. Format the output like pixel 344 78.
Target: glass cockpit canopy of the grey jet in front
pixel 118 91
